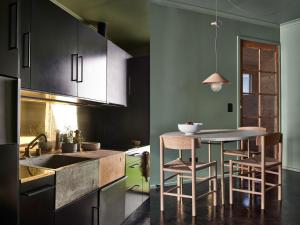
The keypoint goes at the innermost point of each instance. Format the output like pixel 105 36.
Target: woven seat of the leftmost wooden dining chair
pixel 179 165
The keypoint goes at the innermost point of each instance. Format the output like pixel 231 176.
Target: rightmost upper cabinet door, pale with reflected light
pixel 116 74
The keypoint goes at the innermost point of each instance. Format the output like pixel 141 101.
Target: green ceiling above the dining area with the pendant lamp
pixel 269 11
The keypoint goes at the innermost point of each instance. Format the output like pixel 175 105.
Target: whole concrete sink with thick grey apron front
pixel 75 176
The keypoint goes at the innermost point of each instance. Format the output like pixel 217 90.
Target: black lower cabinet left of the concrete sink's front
pixel 37 201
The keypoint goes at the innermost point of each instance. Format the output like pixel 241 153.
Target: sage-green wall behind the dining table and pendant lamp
pixel 182 57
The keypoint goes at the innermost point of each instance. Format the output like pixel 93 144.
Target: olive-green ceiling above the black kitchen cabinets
pixel 127 20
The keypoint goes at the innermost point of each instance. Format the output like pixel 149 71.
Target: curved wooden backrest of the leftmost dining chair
pixel 179 142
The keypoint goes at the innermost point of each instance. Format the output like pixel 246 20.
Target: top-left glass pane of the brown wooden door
pixel 250 59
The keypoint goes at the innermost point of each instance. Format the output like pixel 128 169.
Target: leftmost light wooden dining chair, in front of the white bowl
pixel 184 170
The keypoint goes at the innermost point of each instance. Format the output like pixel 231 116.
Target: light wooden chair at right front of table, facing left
pixel 260 164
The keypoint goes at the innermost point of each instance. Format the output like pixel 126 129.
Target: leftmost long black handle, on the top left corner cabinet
pixel 13 26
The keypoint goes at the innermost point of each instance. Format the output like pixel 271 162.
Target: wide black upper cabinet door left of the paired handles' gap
pixel 50 53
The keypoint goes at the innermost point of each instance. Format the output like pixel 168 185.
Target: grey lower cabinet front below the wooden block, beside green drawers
pixel 112 203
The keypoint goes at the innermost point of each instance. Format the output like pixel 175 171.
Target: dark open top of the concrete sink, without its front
pixel 52 161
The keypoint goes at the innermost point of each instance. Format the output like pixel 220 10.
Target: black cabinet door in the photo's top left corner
pixel 9 14
